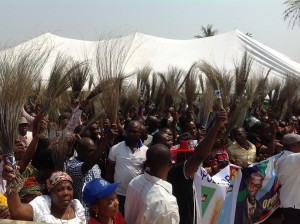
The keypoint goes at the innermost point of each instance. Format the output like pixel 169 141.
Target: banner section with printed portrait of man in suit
pixel 258 195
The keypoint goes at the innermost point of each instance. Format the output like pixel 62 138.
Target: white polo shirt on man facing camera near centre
pixel 128 164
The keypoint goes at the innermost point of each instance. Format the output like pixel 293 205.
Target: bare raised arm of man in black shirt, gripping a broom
pixel 205 146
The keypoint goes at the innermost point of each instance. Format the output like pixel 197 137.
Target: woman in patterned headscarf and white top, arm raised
pixel 56 207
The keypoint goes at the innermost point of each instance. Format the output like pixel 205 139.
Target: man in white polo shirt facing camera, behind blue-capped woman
pixel 126 161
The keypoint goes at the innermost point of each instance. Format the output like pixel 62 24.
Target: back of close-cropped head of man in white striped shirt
pixel 158 157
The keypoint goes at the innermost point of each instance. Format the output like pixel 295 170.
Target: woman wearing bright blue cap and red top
pixel 103 202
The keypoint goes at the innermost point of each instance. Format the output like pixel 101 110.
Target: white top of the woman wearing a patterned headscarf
pixel 42 211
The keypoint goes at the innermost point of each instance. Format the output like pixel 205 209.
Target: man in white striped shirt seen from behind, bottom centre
pixel 149 196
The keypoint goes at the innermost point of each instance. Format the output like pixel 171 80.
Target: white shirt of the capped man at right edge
pixel 288 171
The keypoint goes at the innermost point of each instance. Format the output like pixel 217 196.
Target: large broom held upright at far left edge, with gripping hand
pixel 18 70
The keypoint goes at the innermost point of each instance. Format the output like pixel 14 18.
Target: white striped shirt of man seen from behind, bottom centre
pixel 149 200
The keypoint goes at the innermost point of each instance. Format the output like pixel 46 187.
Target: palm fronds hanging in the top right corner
pixel 292 13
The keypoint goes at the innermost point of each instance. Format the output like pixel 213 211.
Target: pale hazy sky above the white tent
pixel 174 19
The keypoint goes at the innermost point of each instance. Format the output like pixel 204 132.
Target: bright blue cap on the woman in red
pixel 96 189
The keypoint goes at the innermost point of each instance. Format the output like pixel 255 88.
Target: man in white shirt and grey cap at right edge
pixel 288 174
